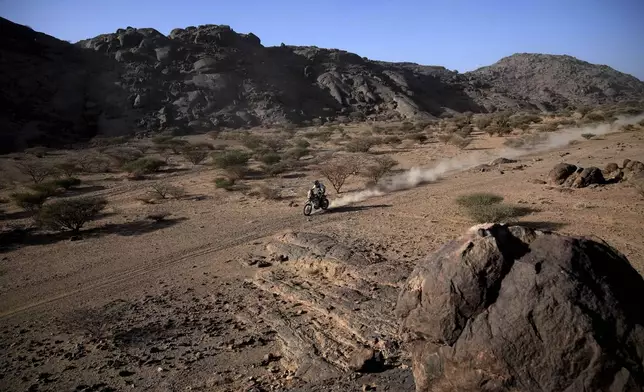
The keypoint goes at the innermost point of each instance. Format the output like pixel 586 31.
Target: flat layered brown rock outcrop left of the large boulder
pixel 331 305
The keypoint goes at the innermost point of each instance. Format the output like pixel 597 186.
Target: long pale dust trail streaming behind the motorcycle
pixel 418 176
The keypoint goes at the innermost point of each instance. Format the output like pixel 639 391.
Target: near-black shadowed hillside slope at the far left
pixel 52 93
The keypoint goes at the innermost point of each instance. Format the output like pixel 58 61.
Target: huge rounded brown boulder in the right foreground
pixel 513 309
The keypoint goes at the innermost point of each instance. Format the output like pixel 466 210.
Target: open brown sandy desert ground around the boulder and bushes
pixel 130 303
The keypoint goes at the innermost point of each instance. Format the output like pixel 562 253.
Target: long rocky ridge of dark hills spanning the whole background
pixel 197 78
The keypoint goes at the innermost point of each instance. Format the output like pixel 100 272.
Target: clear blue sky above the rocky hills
pixel 458 34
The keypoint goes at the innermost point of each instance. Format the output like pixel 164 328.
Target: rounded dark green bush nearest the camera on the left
pixel 70 214
